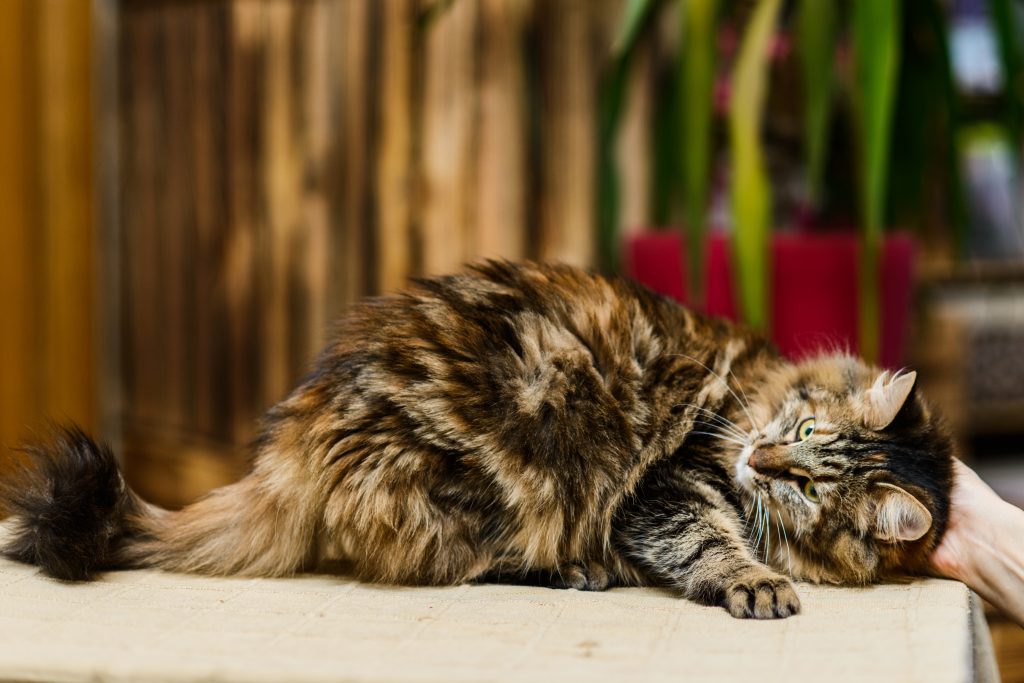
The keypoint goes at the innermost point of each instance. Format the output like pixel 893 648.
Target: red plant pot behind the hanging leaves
pixel 815 287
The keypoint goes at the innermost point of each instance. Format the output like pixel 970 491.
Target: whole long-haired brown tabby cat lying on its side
pixel 536 421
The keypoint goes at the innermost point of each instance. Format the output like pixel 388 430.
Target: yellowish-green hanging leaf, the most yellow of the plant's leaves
pixel 751 192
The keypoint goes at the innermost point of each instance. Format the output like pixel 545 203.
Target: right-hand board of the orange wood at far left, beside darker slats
pixel 66 210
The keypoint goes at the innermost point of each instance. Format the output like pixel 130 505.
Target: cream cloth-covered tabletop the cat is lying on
pixel 151 626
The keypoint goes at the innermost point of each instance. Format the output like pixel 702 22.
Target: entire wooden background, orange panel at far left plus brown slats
pixel 186 219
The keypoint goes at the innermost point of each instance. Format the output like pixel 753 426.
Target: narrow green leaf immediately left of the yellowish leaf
pixel 697 87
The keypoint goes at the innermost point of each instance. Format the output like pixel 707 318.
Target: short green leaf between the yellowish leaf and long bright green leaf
pixel 817 42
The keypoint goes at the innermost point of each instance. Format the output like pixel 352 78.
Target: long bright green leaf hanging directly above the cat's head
pixel 876 47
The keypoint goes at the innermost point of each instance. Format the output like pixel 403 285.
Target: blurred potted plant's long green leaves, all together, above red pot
pixel 878 95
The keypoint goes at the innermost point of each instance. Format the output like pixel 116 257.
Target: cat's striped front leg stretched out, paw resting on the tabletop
pixel 697 546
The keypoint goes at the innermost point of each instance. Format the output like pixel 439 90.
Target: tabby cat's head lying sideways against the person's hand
pixel 852 469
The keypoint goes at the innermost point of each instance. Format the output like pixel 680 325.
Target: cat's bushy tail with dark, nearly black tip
pixel 73 516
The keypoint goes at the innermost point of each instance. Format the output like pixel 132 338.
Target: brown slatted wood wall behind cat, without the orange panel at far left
pixel 280 160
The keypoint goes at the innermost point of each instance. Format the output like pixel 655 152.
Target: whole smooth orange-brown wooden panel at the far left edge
pixel 48 349
